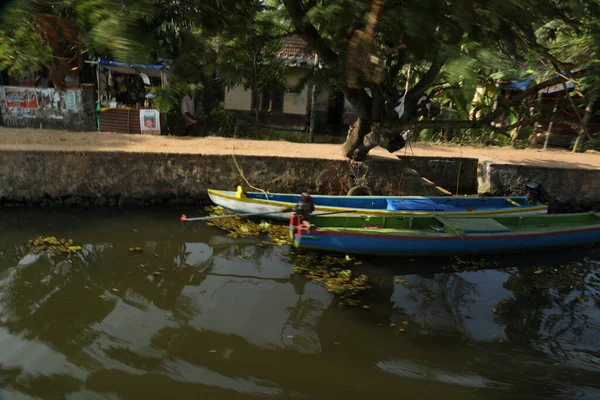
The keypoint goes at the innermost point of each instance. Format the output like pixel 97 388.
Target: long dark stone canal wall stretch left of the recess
pixel 106 178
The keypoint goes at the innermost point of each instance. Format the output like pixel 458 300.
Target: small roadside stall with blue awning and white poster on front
pixel 126 97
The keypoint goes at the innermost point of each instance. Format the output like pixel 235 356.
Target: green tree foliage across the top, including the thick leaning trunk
pixel 388 57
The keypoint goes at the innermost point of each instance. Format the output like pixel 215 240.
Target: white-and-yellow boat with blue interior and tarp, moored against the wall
pixel 271 203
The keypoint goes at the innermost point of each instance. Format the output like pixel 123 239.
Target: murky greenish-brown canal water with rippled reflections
pixel 198 315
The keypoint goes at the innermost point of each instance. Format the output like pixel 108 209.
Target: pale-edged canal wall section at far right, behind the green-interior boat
pixel 569 189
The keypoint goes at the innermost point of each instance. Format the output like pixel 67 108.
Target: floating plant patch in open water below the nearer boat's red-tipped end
pixel 333 272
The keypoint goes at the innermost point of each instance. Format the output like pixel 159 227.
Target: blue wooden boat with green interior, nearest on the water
pixel 444 236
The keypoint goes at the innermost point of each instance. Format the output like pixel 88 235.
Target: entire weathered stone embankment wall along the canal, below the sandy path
pixel 51 178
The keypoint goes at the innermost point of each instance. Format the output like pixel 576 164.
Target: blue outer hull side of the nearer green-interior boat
pixel 450 245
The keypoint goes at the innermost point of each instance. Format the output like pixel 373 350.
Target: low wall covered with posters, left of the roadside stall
pixel 69 110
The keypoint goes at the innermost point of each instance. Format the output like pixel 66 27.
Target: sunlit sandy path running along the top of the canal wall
pixel 35 139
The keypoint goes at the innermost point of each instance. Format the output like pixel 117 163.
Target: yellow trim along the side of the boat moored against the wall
pixel 245 199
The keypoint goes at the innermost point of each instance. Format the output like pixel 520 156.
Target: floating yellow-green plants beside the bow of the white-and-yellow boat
pixel 243 227
